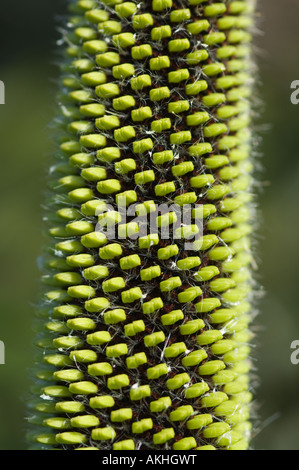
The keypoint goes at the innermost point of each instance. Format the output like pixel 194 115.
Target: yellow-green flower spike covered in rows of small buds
pixel 144 337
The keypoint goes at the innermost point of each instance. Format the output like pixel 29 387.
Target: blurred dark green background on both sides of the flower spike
pixel 28 34
